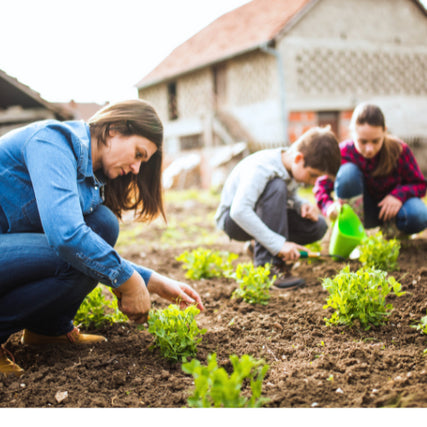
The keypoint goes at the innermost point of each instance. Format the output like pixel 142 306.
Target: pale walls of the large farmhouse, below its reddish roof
pixel 341 52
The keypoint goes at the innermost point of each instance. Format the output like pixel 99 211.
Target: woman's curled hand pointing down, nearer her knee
pixel 134 298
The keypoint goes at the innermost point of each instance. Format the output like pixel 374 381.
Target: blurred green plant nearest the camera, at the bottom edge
pixel 214 388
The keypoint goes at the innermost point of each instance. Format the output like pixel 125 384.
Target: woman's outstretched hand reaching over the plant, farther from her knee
pixel 174 291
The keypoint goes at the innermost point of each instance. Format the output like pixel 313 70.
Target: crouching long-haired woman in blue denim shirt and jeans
pixel 62 187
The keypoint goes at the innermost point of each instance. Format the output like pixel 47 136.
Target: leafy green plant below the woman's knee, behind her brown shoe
pixel 96 310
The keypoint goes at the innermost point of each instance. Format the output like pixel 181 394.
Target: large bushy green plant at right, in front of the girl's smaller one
pixel 361 296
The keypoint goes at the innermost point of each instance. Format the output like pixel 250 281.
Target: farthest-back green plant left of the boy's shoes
pixel 204 263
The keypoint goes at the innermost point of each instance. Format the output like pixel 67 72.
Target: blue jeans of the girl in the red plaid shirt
pixel 411 218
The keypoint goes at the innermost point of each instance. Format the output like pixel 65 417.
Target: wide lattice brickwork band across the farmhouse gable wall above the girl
pixel 337 71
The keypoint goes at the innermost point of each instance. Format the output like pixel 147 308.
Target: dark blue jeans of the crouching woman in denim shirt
pixel 38 290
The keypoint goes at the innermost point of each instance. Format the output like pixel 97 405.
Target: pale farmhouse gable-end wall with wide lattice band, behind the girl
pixel 333 64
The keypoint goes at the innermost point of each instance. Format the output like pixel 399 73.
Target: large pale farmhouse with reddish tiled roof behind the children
pixel 270 69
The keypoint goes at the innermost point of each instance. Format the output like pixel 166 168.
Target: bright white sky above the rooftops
pixel 96 50
